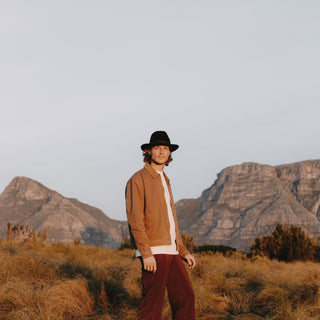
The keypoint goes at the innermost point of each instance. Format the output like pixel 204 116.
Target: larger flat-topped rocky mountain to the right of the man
pixel 248 200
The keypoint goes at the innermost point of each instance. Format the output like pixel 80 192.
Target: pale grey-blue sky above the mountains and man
pixel 84 83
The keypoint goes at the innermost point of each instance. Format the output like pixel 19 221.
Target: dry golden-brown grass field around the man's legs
pixel 51 282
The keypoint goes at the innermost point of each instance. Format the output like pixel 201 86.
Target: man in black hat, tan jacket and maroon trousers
pixel 154 233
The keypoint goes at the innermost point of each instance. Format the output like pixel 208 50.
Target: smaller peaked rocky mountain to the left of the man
pixel 28 202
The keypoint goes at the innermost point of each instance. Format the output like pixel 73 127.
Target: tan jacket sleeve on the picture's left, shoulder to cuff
pixel 135 215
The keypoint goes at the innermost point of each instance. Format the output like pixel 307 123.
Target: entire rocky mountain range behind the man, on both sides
pixel 245 201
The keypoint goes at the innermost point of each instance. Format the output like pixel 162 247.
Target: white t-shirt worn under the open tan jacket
pixel 172 248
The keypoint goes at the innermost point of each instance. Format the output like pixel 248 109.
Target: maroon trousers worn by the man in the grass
pixel 172 274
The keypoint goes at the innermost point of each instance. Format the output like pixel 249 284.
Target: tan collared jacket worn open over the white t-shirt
pixel 147 212
